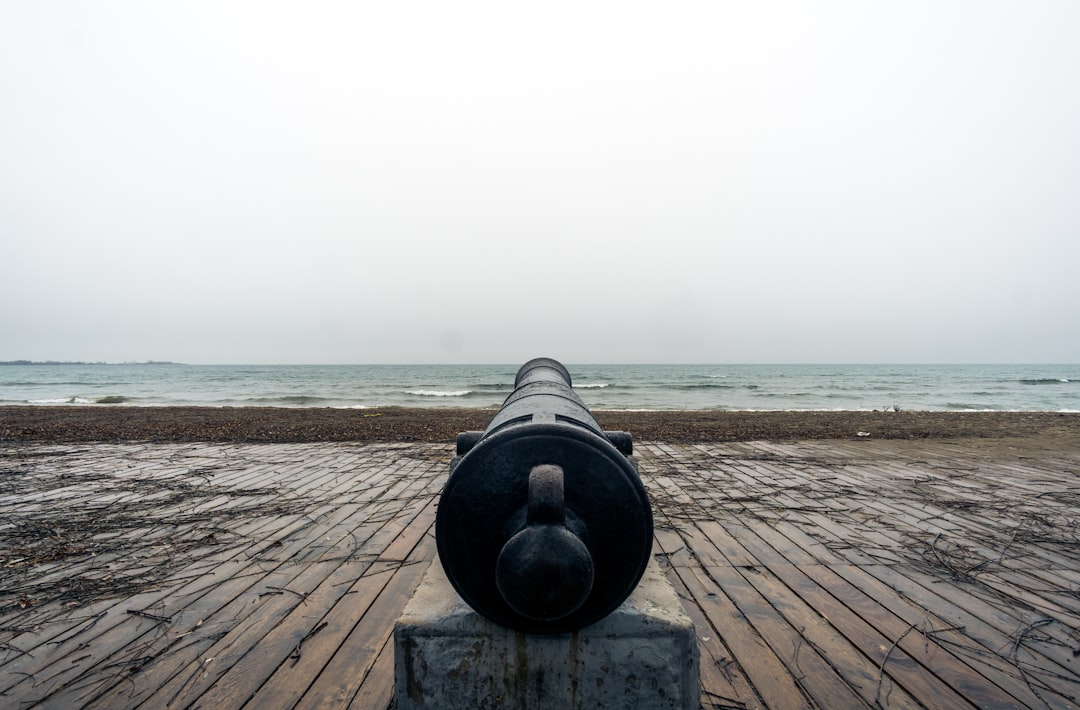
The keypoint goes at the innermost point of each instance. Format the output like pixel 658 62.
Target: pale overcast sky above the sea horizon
pixel 599 182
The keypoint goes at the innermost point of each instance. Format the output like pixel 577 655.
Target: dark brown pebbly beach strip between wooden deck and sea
pixel 43 424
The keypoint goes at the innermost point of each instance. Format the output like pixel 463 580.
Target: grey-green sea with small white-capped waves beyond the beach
pixel 1044 389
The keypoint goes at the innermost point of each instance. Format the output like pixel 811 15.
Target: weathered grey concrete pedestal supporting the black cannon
pixel 644 655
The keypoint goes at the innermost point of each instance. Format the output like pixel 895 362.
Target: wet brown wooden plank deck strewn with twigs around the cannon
pixel 819 574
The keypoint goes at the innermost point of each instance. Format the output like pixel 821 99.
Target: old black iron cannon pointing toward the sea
pixel 544 526
